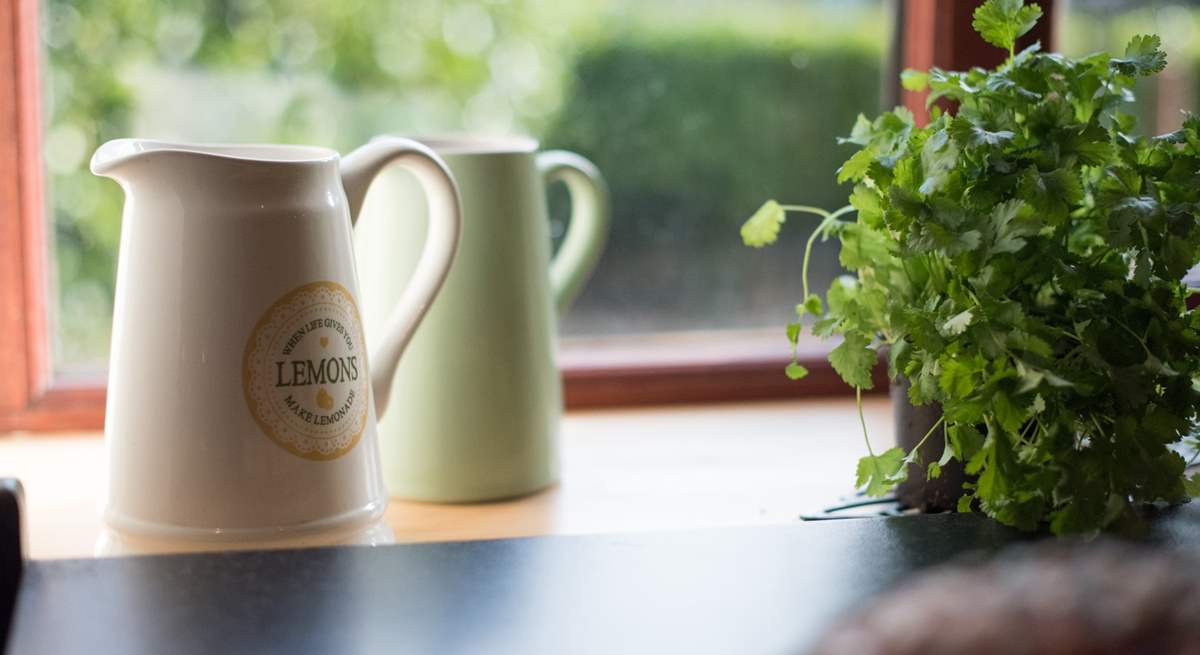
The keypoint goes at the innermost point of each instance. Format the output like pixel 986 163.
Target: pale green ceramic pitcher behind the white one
pixel 477 400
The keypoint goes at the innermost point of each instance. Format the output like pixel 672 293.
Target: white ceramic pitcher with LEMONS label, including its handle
pixel 239 395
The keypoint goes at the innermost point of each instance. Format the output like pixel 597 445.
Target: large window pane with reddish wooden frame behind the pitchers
pixel 697 112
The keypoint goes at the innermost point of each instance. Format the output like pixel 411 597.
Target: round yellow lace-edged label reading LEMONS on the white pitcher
pixel 305 372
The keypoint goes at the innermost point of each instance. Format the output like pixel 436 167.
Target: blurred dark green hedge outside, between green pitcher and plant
pixel 693 135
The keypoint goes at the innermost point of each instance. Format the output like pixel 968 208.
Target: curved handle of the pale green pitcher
pixel 589 229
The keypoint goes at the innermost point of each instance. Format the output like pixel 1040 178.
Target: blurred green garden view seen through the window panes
pixel 697 111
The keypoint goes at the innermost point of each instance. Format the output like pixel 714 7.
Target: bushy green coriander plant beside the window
pixel 1019 261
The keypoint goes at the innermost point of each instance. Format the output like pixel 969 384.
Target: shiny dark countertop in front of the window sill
pixel 766 590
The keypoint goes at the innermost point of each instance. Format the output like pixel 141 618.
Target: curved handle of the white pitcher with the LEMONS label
pixel 359 169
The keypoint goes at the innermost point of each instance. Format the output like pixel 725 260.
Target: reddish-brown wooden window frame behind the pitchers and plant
pixel 34 399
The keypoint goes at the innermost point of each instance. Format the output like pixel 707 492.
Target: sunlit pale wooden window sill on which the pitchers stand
pixel 623 471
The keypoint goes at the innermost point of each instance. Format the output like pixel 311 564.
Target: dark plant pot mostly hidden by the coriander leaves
pixel 911 424
